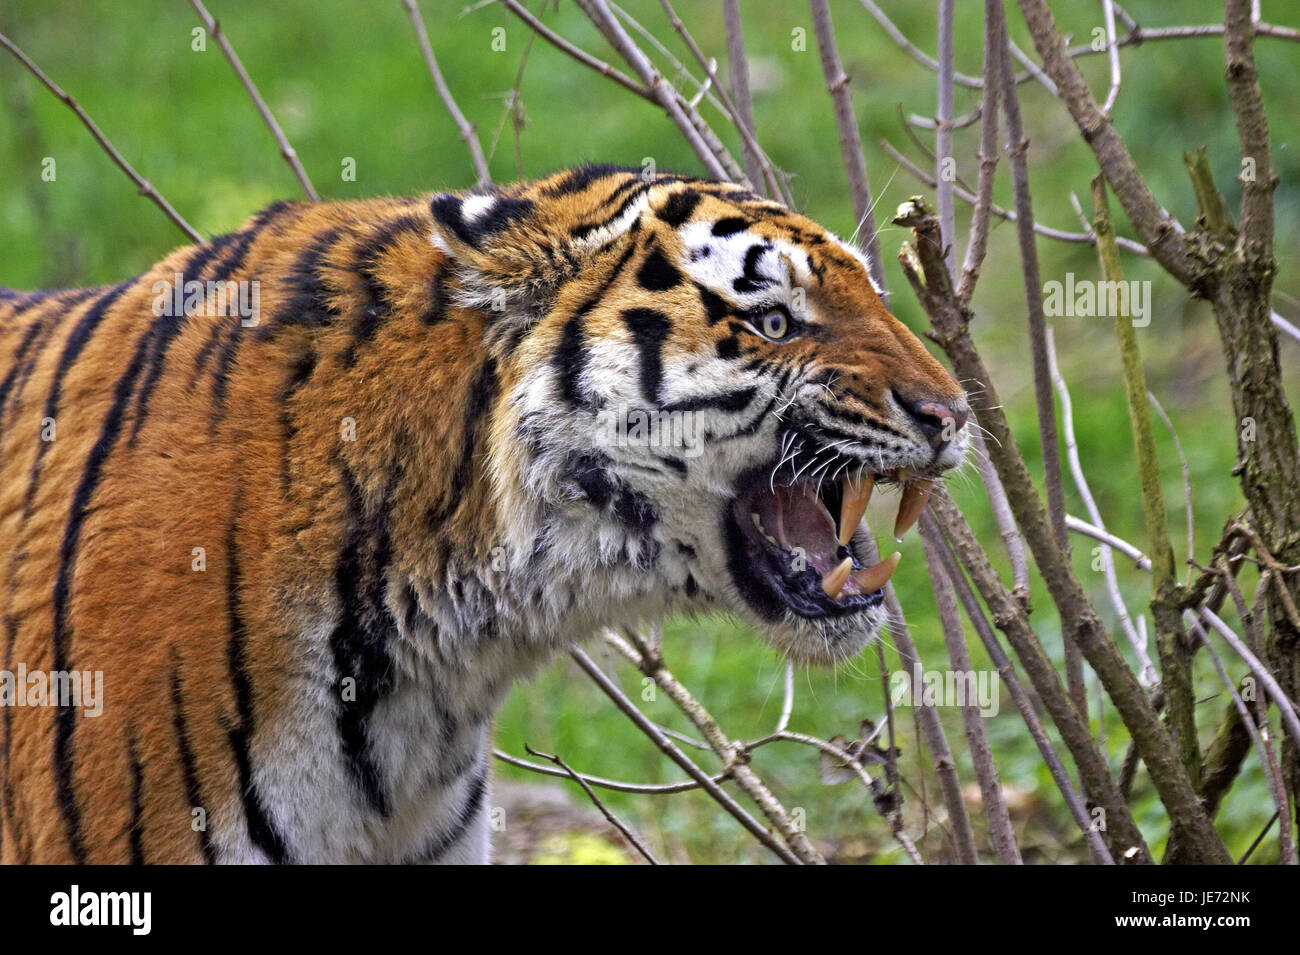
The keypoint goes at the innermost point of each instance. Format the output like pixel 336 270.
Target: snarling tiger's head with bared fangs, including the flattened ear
pixel 700 389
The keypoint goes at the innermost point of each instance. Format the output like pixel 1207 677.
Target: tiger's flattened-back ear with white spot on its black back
pixel 522 248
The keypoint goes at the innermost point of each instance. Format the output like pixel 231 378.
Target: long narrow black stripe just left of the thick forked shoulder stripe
pixel 262 830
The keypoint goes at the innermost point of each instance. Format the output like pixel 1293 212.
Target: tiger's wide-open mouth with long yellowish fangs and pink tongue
pixel 796 545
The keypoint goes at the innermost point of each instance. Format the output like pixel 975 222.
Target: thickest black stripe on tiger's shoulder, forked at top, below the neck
pixel 361 639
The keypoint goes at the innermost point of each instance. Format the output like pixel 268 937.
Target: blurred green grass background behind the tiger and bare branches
pixel 346 81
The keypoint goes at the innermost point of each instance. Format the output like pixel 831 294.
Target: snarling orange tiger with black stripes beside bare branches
pixel 310 497
